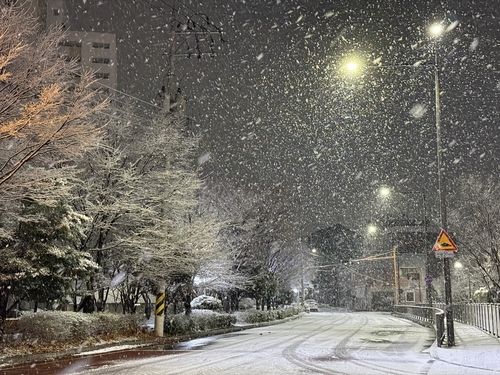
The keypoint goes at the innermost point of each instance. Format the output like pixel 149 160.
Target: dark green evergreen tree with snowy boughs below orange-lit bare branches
pixel 43 254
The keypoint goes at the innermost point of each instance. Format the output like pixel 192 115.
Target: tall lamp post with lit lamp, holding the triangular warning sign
pixel 436 31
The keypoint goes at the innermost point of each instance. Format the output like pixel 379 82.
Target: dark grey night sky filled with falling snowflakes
pixel 276 113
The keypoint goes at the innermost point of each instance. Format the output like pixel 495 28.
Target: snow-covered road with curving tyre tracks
pixel 319 343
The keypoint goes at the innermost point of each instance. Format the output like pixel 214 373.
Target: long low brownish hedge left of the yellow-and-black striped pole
pixel 68 326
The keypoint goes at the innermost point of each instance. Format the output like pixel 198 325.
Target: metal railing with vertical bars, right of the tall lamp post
pixel 485 316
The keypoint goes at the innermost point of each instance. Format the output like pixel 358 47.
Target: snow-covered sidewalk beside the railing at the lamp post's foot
pixel 473 348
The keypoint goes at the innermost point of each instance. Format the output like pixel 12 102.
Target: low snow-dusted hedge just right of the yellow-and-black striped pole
pixel 198 321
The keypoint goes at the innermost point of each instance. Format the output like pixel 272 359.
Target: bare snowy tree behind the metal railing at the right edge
pixel 475 222
